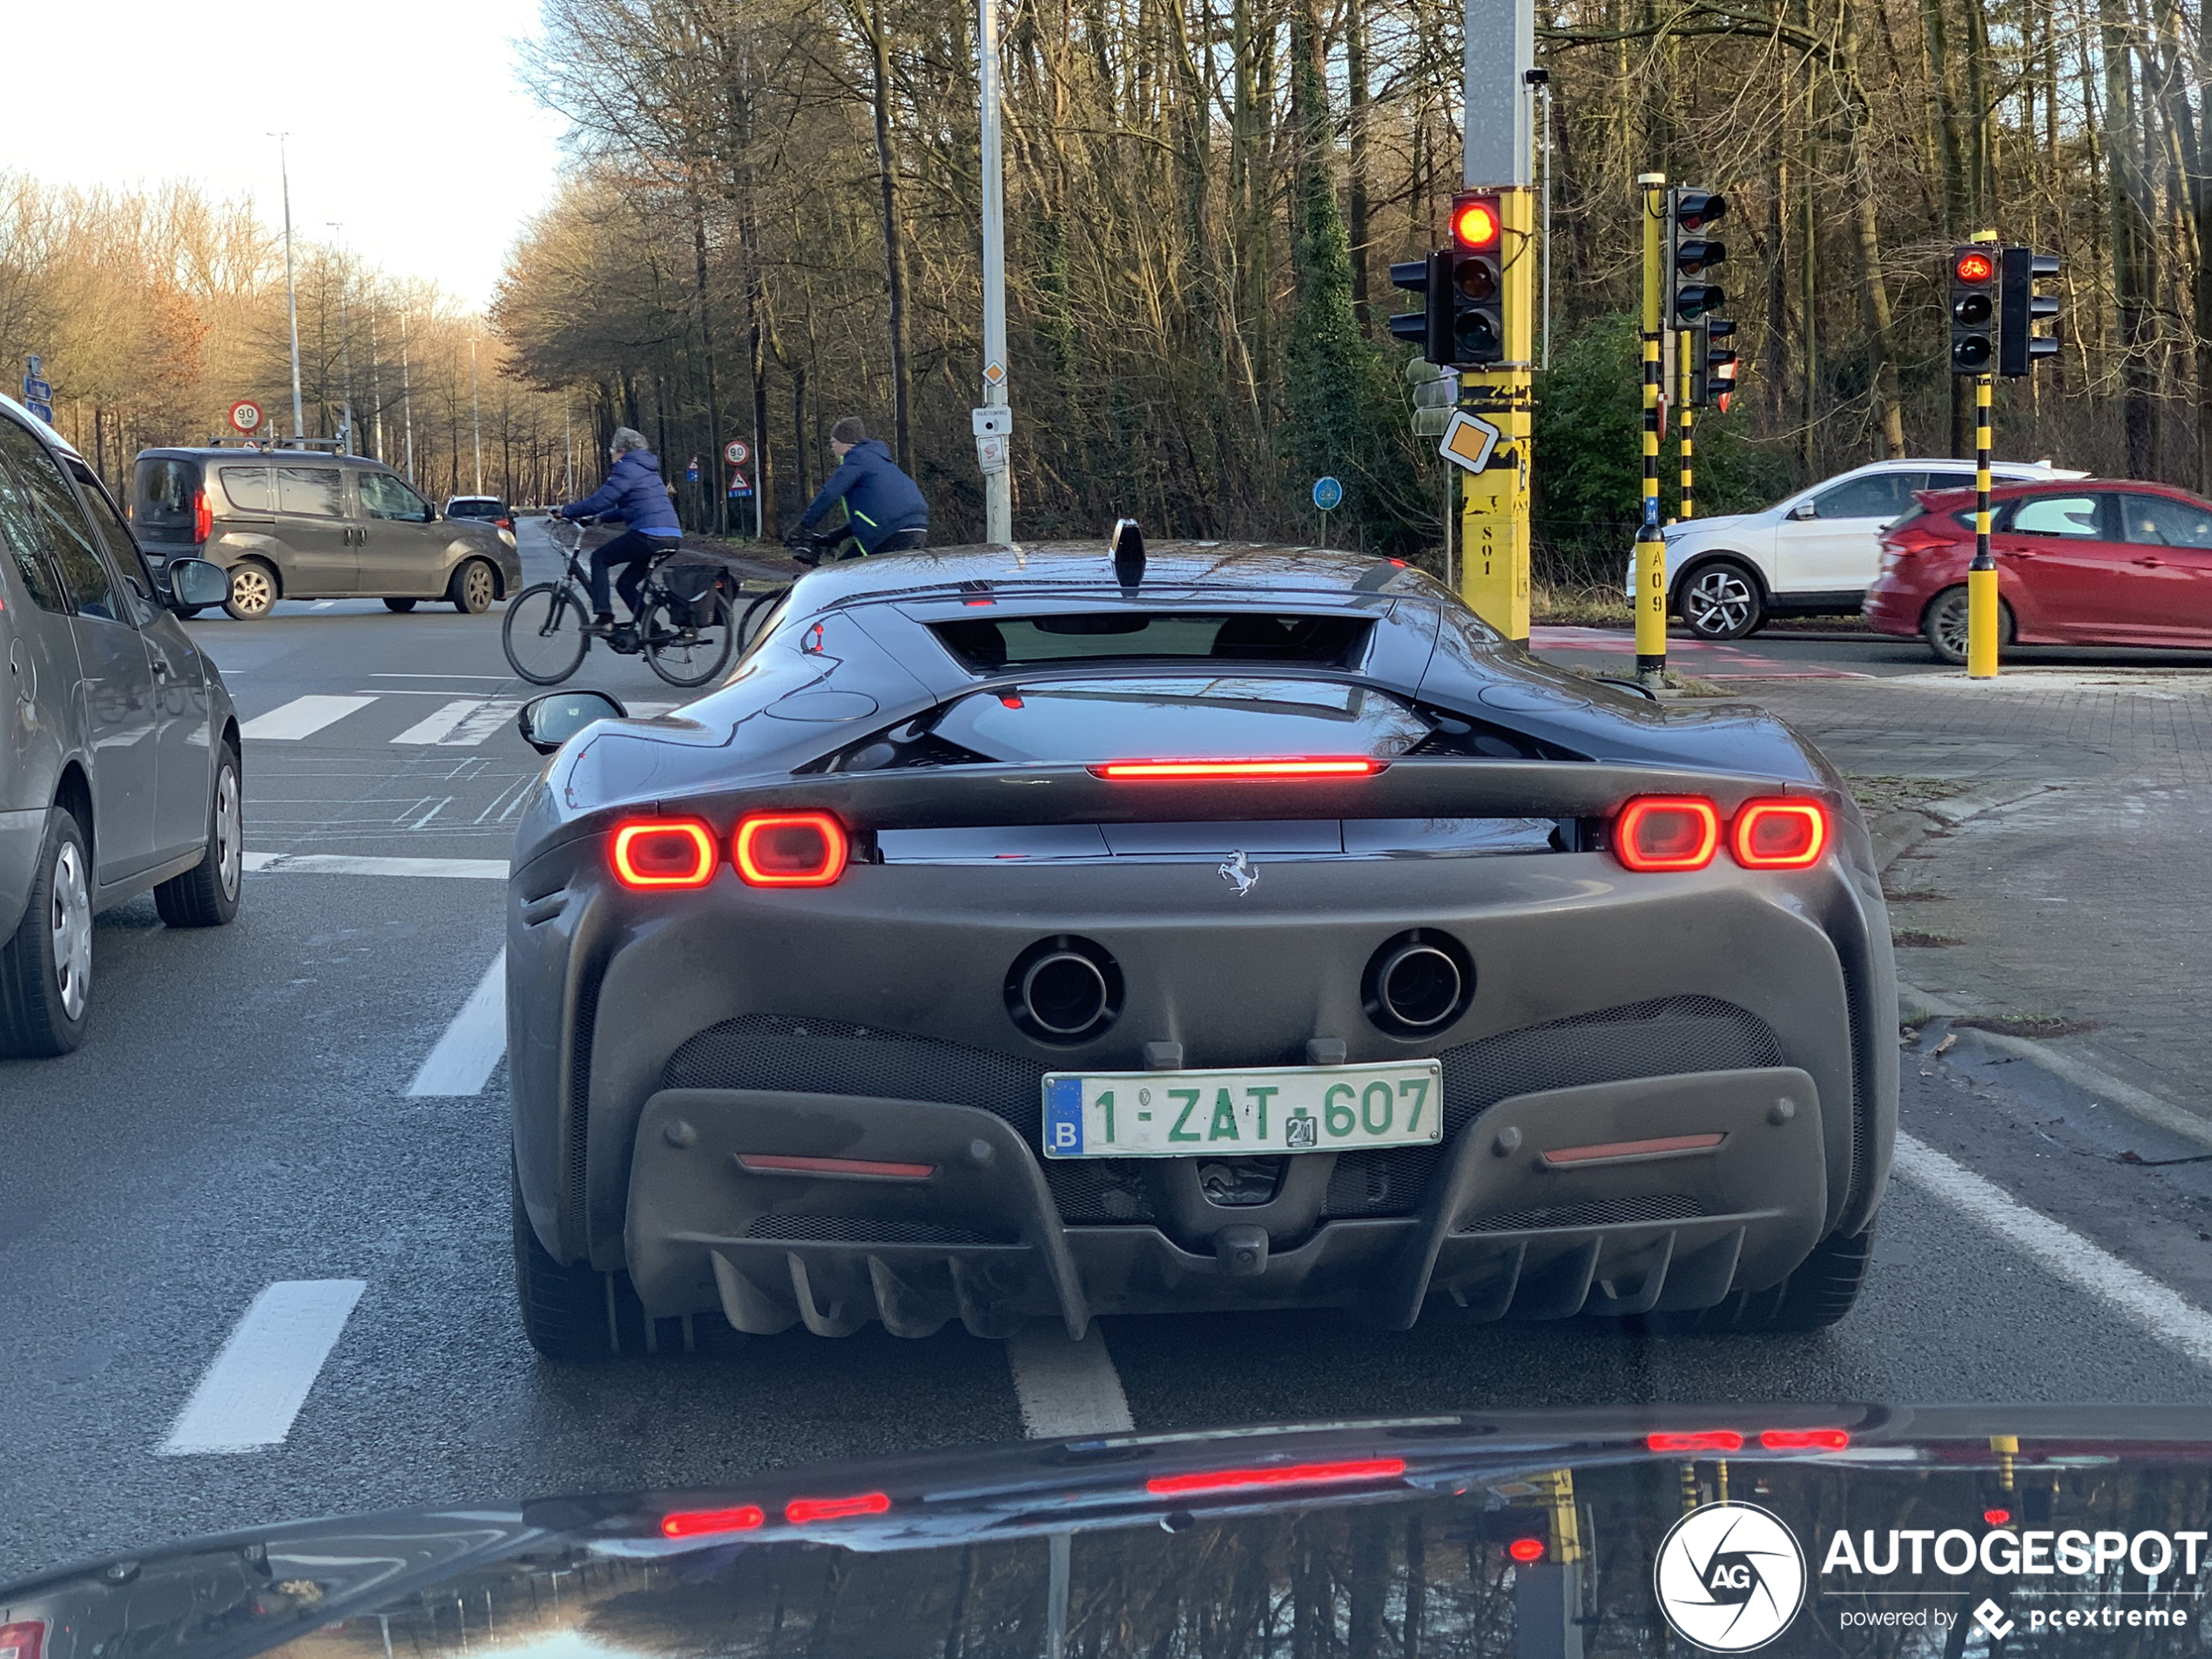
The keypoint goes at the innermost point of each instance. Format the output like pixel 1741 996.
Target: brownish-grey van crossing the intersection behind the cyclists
pixel 298 521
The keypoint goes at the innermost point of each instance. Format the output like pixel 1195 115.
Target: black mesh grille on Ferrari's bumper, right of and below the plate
pixel 1636 1041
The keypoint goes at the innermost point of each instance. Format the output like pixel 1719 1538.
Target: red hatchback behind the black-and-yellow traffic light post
pixel 2080 563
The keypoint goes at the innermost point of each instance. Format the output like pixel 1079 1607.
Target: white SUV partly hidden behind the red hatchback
pixel 1811 554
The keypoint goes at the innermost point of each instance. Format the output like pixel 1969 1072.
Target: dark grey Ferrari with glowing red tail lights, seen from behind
pixel 1043 935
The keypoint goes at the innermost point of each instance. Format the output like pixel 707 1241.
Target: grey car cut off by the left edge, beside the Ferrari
pixel 118 742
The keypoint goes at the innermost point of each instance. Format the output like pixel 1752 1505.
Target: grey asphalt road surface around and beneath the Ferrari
pixel 244 1118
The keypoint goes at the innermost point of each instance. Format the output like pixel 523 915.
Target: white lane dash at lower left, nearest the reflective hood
pixel 260 1381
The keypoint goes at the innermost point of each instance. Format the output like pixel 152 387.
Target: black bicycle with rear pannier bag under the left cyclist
pixel 685 625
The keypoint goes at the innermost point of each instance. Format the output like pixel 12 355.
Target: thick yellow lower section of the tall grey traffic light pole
pixel 1494 503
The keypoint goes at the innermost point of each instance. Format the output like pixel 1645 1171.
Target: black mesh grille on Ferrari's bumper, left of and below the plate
pixel 833 1058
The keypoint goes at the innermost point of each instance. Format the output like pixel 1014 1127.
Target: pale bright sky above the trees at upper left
pixel 408 121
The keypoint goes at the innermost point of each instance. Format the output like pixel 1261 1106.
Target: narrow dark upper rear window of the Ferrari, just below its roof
pixel 1116 636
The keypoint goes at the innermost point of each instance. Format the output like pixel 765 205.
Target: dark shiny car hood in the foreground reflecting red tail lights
pixel 1450 1534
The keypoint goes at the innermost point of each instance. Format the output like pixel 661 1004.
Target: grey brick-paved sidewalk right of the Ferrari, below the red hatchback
pixel 2089 899
